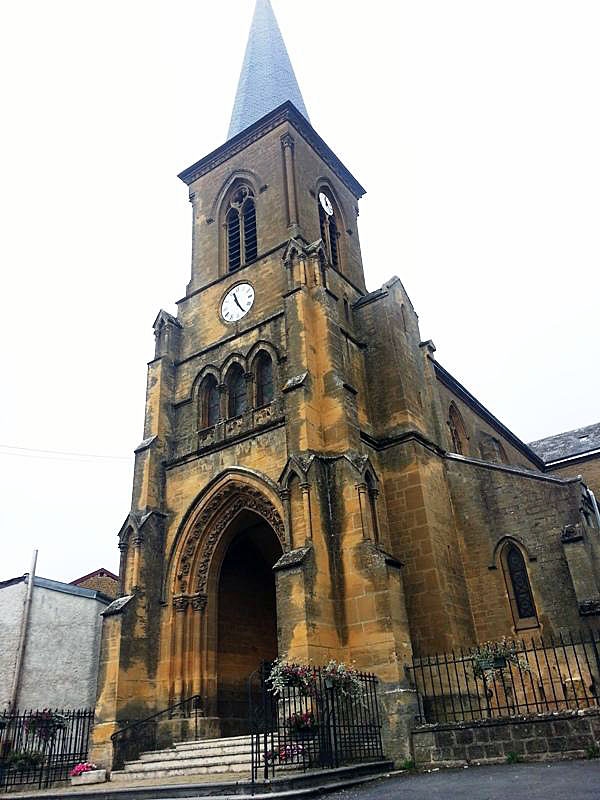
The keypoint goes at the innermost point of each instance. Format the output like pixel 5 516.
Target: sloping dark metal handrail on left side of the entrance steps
pixel 143 735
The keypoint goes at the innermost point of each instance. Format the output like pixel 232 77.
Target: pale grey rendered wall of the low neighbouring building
pixel 60 667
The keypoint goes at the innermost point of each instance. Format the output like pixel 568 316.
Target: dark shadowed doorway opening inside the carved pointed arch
pixel 246 629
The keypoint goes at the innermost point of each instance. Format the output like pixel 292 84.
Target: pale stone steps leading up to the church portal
pixel 220 757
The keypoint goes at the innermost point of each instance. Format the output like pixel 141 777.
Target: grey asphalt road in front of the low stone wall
pixel 566 780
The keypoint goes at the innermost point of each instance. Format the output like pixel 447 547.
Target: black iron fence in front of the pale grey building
pixel 41 747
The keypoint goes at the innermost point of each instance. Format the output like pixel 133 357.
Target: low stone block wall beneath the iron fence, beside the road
pixel 566 734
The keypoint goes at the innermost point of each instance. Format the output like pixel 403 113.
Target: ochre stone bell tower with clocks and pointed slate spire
pixel 257 526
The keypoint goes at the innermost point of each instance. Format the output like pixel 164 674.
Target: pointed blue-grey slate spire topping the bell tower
pixel 267 78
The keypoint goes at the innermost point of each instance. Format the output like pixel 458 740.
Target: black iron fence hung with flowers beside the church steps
pixel 320 724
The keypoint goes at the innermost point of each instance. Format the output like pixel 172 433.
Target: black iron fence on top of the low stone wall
pixel 526 677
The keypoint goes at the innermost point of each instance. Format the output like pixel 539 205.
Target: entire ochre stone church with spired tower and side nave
pixel 312 483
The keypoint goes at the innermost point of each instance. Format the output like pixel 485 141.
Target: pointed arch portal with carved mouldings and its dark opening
pixel 224 599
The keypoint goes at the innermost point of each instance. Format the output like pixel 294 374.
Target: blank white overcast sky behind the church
pixel 475 127
